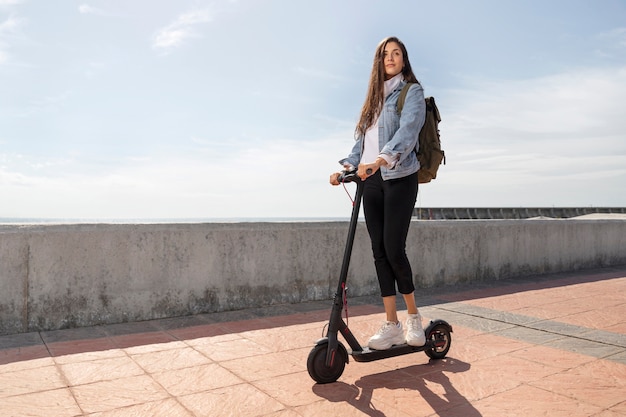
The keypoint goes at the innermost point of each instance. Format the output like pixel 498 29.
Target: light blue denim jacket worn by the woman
pixel 397 135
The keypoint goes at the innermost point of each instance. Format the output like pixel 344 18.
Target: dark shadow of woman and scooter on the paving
pixel 445 400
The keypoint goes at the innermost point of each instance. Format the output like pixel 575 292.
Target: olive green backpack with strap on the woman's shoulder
pixel 430 155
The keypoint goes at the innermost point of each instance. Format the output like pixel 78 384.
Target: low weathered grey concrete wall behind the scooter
pixel 60 276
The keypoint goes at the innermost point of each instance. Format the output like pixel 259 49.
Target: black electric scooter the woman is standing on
pixel 328 358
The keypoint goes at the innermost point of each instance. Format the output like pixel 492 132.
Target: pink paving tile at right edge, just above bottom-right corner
pixel 600 382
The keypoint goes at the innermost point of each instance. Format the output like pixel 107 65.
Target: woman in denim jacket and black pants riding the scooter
pixel 386 162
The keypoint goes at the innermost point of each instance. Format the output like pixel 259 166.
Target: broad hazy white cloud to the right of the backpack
pixel 555 140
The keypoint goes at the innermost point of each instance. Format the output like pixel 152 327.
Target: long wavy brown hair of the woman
pixel 376 89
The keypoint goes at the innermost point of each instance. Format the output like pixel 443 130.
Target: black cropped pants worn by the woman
pixel 388 207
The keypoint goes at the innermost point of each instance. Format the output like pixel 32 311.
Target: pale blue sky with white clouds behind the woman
pixel 193 109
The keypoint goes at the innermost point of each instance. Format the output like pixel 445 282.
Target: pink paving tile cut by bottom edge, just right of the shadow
pixel 525 401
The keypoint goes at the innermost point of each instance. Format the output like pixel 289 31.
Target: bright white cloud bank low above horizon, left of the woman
pixel 281 179
